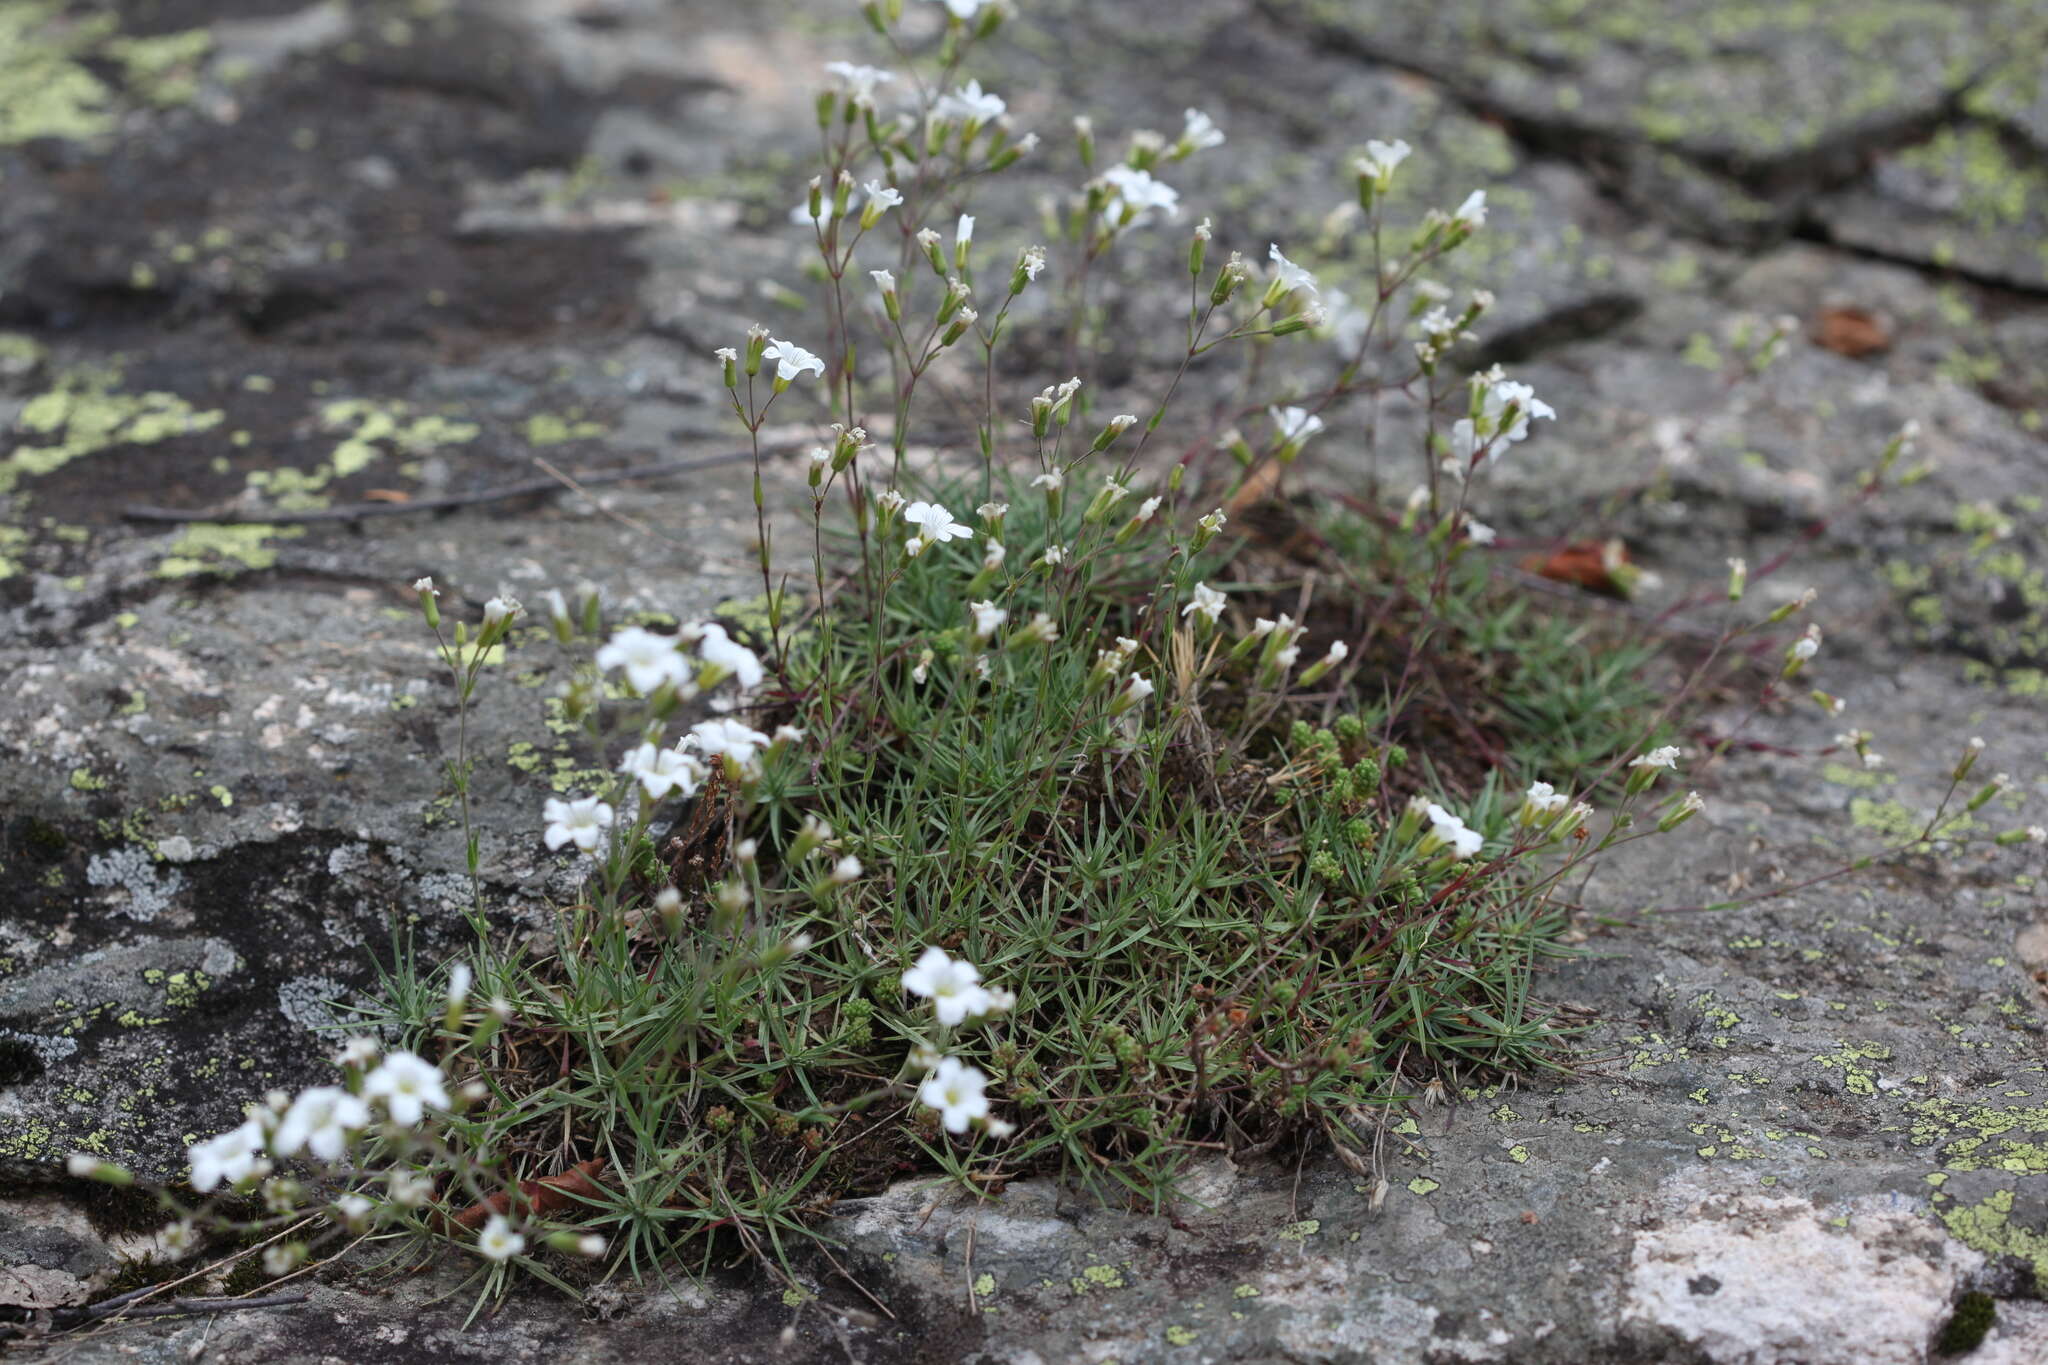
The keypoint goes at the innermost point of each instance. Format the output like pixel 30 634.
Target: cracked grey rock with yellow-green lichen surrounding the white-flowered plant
pixel 267 259
